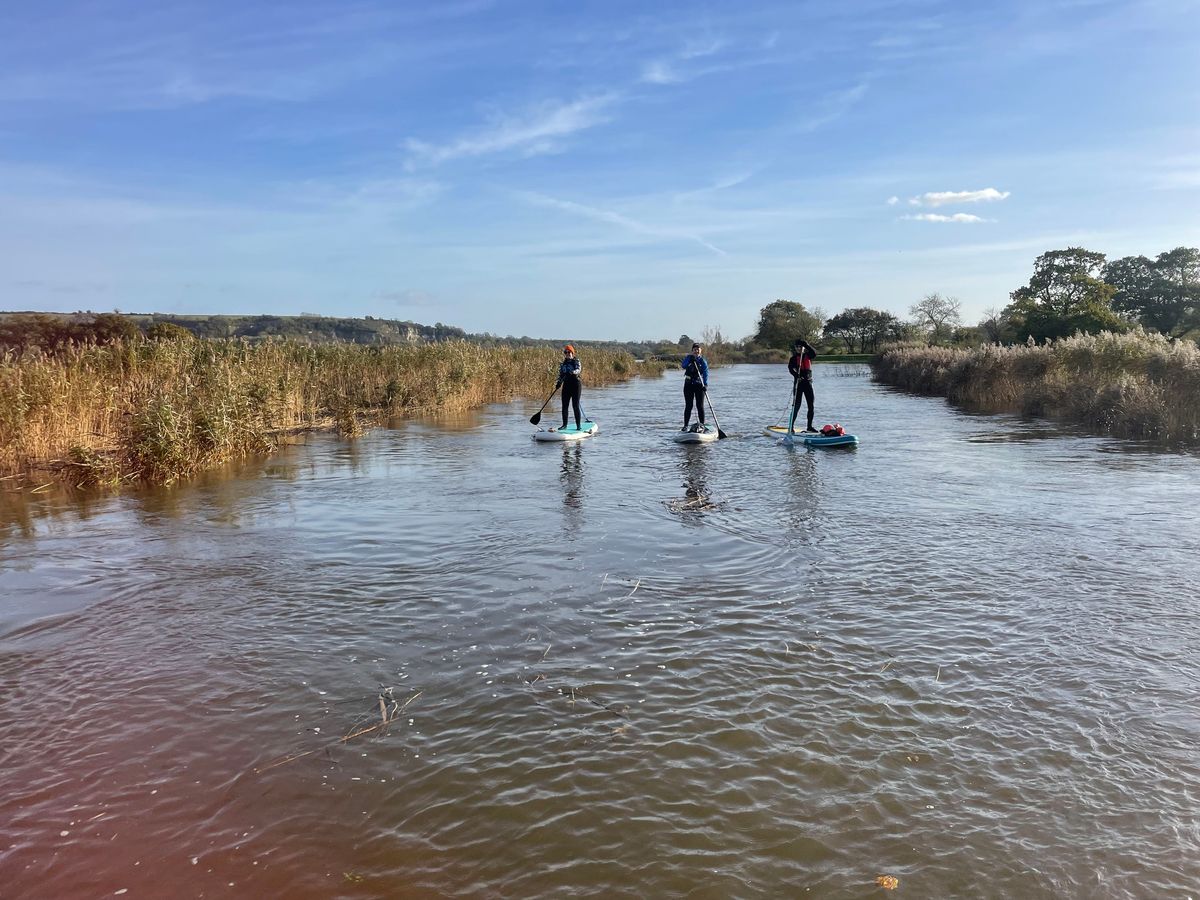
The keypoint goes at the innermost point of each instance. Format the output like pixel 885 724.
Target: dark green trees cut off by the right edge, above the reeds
pixel 1162 293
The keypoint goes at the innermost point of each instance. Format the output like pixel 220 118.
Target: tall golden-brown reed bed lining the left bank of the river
pixel 164 411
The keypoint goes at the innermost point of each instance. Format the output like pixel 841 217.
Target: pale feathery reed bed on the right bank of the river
pixel 1136 385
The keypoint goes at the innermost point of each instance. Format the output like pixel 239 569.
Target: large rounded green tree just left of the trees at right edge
pixel 1064 297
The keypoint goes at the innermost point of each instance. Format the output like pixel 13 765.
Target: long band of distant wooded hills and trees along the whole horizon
pixel 1072 291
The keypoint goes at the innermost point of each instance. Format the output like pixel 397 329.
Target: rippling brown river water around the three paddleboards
pixel 962 655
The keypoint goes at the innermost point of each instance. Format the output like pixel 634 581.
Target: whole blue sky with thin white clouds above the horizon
pixel 584 170
